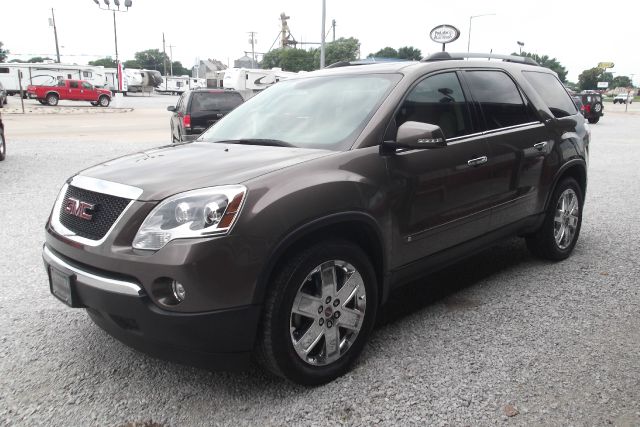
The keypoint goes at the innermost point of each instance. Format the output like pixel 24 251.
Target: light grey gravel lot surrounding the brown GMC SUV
pixel 501 338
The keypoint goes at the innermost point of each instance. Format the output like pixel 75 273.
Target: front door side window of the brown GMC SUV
pixel 438 100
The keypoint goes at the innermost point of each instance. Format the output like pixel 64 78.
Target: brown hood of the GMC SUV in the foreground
pixel 173 169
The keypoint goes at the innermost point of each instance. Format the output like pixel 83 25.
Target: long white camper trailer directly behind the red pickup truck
pixel 46 74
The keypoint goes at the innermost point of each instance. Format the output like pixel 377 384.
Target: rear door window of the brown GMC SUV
pixel 500 99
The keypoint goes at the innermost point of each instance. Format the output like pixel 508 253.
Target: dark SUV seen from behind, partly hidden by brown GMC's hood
pixel 198 109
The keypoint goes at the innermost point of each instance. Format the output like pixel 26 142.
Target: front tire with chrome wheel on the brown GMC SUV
pixel 319 313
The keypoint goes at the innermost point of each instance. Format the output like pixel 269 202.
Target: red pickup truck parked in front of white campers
pixel 73 90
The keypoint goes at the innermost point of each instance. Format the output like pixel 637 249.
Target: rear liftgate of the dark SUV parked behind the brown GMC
pixel 207 107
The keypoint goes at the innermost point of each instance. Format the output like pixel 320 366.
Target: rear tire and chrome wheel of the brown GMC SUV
pixel 559 232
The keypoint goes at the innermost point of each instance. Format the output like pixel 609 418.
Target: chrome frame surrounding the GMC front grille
pixel 99 186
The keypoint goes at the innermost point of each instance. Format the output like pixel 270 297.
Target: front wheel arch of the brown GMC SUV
pixel 357 227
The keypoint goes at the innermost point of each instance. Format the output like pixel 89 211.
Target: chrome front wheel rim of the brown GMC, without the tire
pixel 328 312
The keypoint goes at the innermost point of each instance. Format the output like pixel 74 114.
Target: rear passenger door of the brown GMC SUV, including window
pixel 518 143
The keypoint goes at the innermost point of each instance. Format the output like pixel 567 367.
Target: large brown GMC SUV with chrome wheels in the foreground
pixel 280 232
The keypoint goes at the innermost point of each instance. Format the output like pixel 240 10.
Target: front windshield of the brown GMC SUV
pixel 317 112
